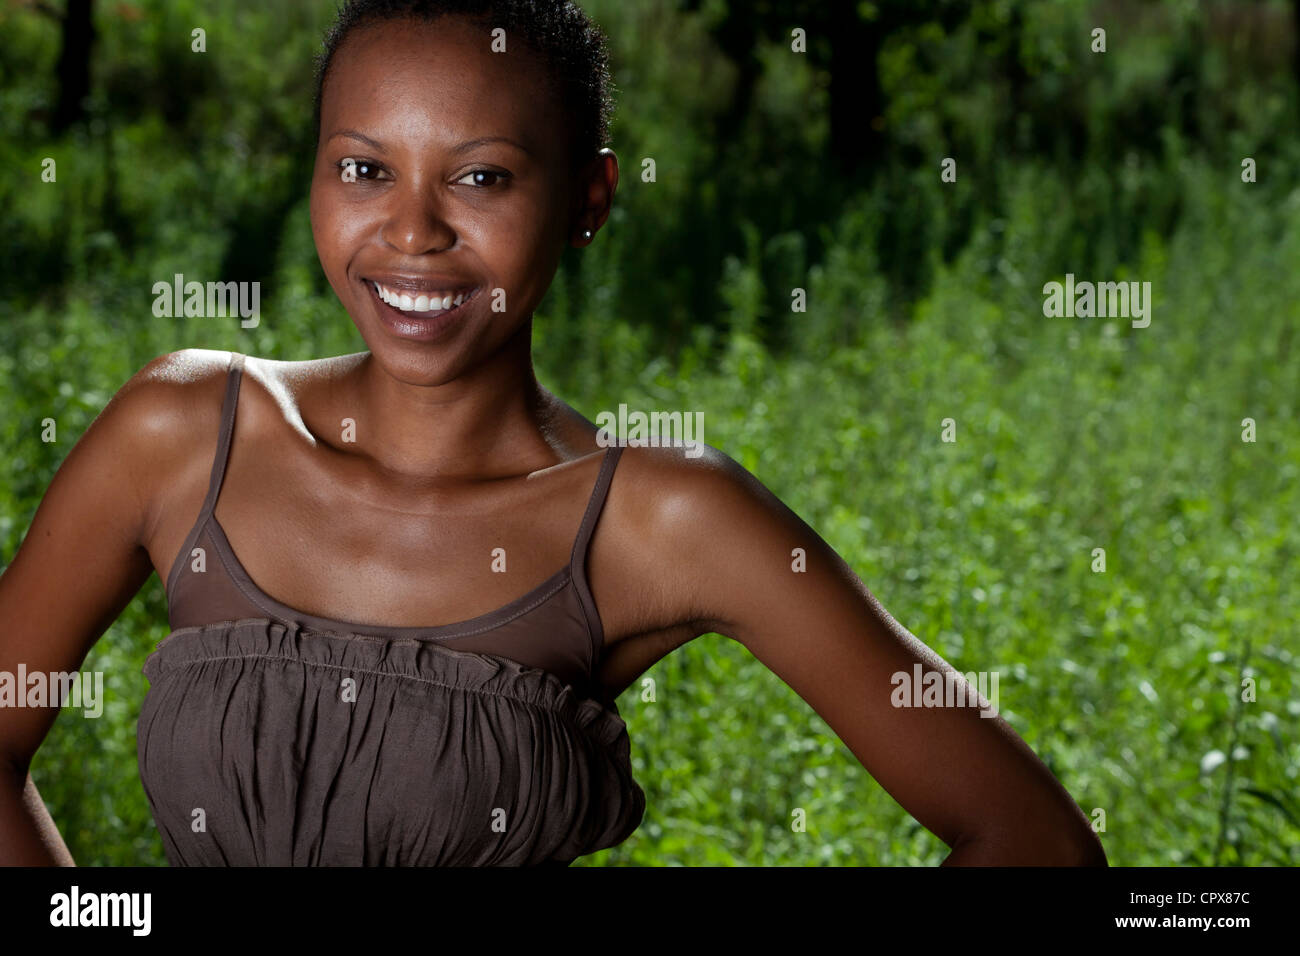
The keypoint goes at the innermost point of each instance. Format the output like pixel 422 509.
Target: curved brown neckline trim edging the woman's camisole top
pixel 488 621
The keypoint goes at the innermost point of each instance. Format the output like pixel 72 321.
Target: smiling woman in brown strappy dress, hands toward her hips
pixel 408 585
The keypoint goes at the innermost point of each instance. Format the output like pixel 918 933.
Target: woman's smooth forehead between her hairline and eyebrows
pixel 423 83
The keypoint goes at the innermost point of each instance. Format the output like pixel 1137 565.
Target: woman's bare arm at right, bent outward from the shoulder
pixel 968 778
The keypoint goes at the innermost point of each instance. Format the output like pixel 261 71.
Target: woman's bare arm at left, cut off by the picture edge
pixel 83 561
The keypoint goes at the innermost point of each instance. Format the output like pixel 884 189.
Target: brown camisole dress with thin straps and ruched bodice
pixel 276 738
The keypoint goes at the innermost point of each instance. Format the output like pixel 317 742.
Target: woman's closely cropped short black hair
pixel 560 32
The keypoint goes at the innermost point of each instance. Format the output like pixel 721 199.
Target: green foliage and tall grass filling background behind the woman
pixel 925 304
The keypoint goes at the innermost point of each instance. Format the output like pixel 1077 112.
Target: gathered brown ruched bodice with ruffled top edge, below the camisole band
pixel 271 745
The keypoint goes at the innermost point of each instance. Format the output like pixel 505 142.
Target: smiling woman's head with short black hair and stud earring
pixel 408 167
